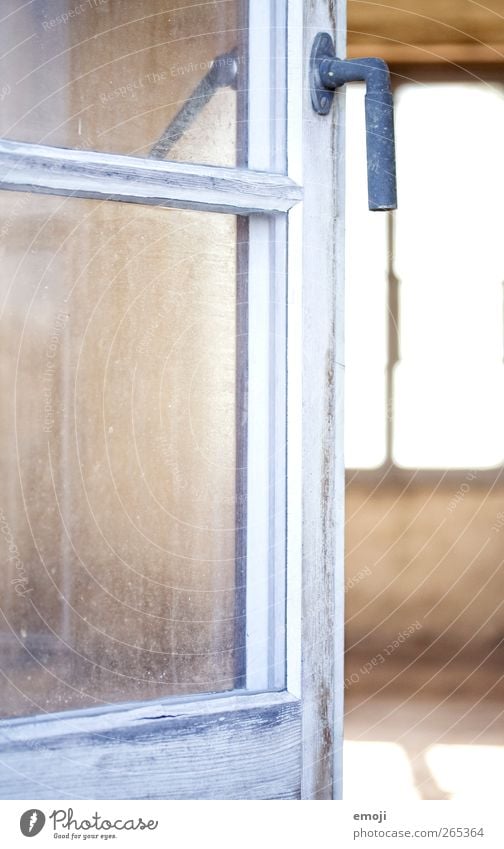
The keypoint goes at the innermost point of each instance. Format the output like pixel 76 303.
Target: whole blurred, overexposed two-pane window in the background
pixel 424 289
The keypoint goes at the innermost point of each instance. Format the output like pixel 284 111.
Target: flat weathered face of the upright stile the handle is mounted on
pixel 323 469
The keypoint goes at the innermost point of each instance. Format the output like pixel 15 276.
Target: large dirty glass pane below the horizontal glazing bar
pixel 118 452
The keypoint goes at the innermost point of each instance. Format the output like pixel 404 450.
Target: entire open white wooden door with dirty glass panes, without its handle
pixel 171 379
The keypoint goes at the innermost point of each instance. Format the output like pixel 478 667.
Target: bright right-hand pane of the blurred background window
pixel 449 408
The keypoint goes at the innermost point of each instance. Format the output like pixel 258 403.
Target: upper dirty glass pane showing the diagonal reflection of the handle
pixel 112 75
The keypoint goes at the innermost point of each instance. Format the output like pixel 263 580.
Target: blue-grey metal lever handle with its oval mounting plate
pixel 328 73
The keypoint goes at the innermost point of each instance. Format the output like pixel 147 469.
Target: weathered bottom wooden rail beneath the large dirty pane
pixel 232 747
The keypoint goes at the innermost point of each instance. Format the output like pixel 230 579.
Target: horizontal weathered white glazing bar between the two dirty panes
pixel 105 176
